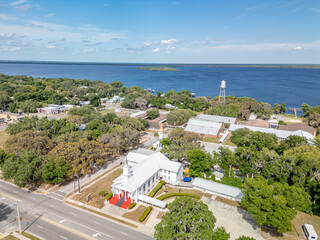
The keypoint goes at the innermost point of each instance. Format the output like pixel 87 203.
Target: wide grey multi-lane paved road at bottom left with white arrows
pixel 50 218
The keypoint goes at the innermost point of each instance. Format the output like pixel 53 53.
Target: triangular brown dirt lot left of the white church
pixel 104 184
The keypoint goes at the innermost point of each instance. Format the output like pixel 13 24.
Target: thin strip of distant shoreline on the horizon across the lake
pixel 299 66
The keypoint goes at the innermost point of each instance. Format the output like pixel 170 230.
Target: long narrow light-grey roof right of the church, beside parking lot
pixel 218 188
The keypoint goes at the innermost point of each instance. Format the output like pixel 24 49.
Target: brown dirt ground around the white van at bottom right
pixel 297 232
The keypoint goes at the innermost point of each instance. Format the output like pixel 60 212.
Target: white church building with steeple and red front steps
pixel 142 171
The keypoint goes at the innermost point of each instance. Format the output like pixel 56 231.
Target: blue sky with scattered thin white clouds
pixel 161 31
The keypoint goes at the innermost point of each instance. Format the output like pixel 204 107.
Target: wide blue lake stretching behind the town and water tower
pixel 273 85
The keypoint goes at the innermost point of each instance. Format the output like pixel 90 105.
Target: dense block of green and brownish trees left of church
pixel 49 151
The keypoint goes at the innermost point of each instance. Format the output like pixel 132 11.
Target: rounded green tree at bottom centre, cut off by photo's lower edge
pixel 186 219
